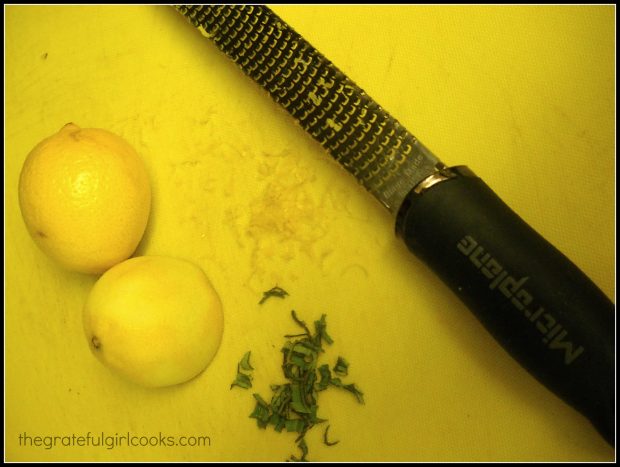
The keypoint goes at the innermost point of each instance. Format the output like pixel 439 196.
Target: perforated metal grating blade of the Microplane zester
pixel 384 157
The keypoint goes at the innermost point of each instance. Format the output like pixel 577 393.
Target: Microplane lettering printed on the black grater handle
pixel 554 334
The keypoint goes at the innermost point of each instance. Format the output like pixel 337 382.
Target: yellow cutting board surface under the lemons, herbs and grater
pixel 524 95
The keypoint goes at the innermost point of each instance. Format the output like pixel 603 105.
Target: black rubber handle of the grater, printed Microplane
pixel 536 303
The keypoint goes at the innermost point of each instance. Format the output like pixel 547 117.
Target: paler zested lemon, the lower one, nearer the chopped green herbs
pixel 155 320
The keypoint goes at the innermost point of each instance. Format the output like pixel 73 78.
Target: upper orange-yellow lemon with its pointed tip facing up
pixel 85 198
